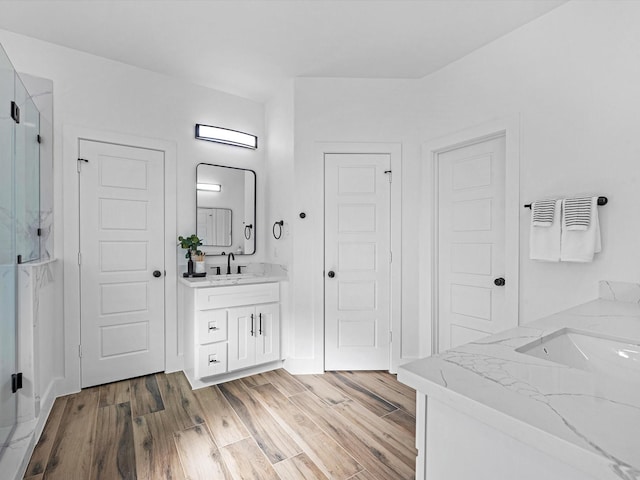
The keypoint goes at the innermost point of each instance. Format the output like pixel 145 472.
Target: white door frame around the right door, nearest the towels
pixel 428 308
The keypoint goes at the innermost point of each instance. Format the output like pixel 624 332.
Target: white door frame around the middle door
pixel 394 150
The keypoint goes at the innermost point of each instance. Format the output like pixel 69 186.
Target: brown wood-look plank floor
pixel 346 425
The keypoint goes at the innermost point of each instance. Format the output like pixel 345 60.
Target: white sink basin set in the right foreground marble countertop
pixel 587 351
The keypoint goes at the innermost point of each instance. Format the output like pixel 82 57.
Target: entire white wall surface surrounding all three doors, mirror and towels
pixel 572 75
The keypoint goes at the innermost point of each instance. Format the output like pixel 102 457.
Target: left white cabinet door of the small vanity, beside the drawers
pixel 241 331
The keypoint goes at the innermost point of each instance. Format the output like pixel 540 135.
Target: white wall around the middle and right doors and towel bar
pixel 572 75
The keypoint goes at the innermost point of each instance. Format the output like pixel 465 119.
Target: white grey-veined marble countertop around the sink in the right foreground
pixel 588 420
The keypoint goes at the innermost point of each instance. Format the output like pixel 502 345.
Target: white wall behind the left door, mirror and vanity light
pixel 94 93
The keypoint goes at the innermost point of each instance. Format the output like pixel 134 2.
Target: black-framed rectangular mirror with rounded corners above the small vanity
pixel 226 209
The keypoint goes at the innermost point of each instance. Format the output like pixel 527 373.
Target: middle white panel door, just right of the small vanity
pixel 357 257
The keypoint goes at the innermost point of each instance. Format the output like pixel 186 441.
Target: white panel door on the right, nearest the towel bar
pixel 471 243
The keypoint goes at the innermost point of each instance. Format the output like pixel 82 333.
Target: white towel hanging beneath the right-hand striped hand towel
pixel 581 245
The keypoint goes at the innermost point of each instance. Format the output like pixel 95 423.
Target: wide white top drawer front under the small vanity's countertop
pixel 237 295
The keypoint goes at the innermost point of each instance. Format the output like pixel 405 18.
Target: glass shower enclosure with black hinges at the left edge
pixel 19 223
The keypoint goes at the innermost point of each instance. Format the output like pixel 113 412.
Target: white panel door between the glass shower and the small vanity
pixel 121 246
